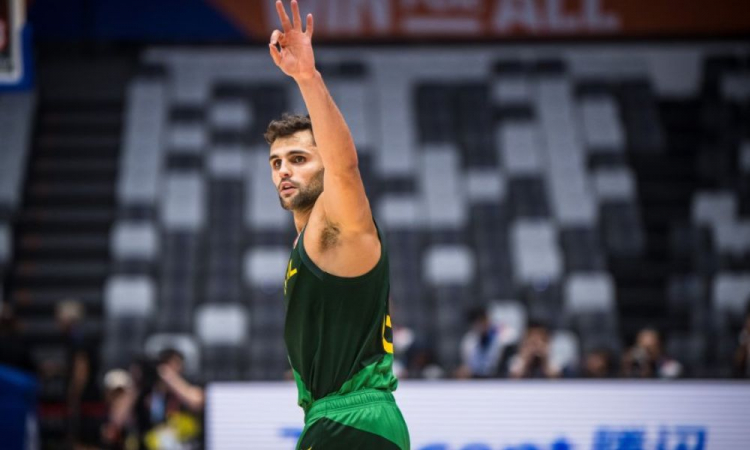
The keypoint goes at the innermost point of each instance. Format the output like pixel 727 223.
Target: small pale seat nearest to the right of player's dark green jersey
pixel 449 265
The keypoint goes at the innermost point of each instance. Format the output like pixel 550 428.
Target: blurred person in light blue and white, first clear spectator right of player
pixel 481 347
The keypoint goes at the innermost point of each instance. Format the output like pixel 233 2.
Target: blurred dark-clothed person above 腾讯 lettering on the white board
pixel 646 359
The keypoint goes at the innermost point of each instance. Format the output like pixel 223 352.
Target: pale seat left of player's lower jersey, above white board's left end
pixel 222 324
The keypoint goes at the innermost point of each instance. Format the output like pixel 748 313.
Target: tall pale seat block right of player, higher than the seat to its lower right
pixel 536 253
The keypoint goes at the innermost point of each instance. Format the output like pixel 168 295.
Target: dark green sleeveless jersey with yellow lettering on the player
pixel 337 330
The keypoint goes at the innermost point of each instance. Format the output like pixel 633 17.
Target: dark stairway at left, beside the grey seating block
pixel 62 234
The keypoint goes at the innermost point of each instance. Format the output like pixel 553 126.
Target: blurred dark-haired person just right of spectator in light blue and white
pixel 530 359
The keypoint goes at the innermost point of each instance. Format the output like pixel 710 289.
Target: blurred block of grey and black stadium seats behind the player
pixel 494 176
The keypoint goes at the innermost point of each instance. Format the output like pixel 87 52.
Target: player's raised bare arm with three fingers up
pixel 344 200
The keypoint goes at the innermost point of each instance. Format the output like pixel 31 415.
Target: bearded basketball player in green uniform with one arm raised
pixel 338 331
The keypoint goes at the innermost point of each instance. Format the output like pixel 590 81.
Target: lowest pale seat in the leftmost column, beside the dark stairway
pixel 129 296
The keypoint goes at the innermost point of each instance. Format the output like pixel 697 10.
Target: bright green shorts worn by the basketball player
pixel 364 420
